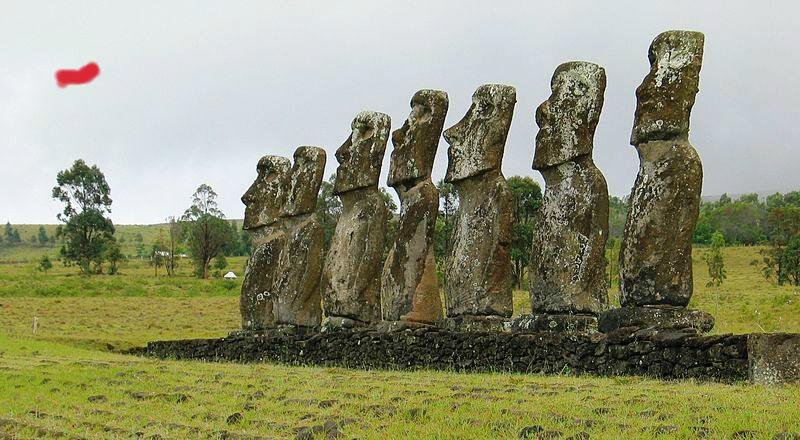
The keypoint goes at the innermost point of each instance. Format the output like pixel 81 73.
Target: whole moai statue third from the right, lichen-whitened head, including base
pixel 478 278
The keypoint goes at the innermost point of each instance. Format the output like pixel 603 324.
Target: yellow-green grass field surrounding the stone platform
pixel 66 379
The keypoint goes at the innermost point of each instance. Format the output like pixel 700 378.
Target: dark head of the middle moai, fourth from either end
pixel 416 141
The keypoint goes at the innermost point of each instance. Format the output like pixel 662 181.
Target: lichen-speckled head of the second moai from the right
pixel 568 119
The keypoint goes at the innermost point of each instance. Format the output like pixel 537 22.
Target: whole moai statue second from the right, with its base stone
pixel 567 269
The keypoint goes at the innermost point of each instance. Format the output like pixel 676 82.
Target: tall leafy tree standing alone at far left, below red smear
pixel 86 196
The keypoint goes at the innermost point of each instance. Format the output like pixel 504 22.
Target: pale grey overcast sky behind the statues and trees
pixel 195 92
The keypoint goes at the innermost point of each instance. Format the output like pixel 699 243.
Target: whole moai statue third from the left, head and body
pixel 351 278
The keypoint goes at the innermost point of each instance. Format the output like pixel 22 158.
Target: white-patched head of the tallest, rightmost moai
pixel 666 96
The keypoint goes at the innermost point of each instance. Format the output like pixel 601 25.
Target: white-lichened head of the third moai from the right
pixel 477 141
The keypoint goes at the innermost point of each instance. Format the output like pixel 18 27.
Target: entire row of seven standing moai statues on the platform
pixel 287 282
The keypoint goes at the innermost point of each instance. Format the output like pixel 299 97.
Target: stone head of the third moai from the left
pixel 361 154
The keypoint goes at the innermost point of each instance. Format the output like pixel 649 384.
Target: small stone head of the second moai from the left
pixel 302 186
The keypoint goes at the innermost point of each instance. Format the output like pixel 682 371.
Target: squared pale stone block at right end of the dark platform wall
pixel 774 358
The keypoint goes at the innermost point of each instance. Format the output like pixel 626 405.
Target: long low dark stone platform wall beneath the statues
pixel 627 351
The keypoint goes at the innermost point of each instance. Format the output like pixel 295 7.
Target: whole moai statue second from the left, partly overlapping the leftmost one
pixel 297 280
